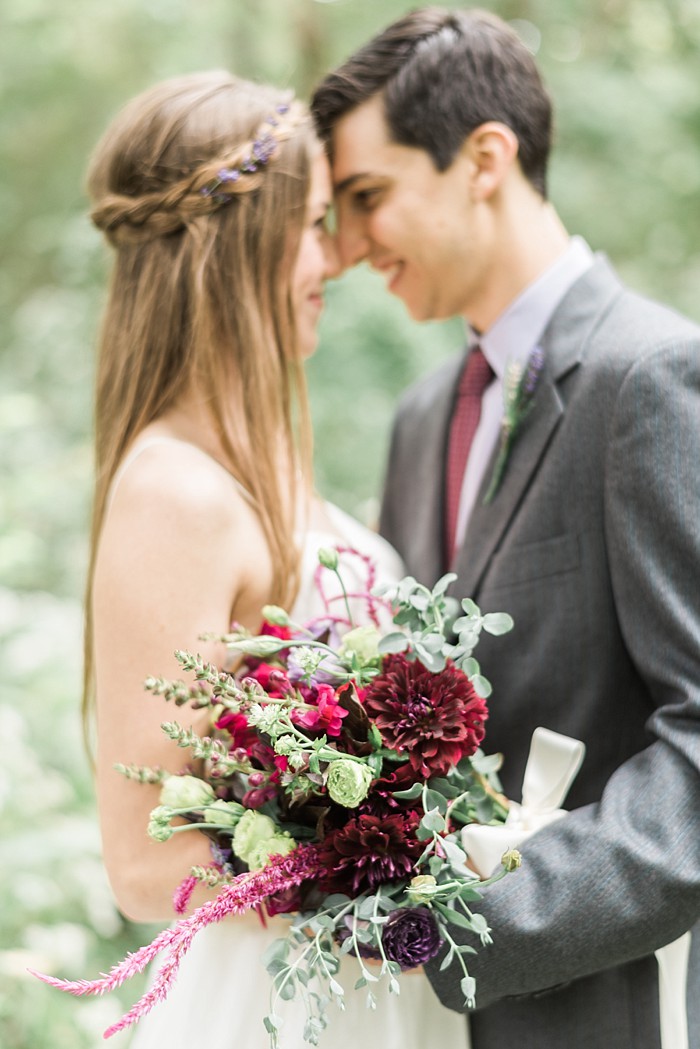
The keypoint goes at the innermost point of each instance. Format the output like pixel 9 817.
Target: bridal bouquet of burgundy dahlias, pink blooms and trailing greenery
pixel 344 763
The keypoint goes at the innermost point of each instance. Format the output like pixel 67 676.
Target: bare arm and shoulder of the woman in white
pixel 175 562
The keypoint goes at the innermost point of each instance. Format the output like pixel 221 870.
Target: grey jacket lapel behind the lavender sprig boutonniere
pixel 564 345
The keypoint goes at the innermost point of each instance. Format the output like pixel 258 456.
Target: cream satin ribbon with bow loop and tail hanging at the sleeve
pixel 553 766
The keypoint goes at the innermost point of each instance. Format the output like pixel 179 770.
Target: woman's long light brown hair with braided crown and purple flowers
pixel 201 292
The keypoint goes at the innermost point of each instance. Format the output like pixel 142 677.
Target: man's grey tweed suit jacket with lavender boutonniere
pixel 593 546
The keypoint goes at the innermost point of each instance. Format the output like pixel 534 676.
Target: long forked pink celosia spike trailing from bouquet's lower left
pixel 248 891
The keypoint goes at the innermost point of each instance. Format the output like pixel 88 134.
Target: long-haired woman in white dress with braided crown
pixel 215 195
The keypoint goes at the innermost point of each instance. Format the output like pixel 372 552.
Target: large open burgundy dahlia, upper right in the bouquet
pixel 434 719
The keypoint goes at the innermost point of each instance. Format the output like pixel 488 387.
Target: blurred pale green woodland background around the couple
pixel 626 175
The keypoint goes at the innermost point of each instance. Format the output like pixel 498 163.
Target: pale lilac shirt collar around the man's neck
pixel 518 331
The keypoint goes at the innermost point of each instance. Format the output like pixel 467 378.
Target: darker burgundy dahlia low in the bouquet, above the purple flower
pixel 370 851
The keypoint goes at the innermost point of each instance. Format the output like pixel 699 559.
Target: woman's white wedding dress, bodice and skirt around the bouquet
pixel 222 992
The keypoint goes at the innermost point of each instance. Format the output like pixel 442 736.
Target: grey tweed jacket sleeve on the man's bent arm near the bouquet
pixel 619 880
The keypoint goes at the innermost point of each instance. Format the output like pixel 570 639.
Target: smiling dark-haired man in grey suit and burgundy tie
pixel 439 132
